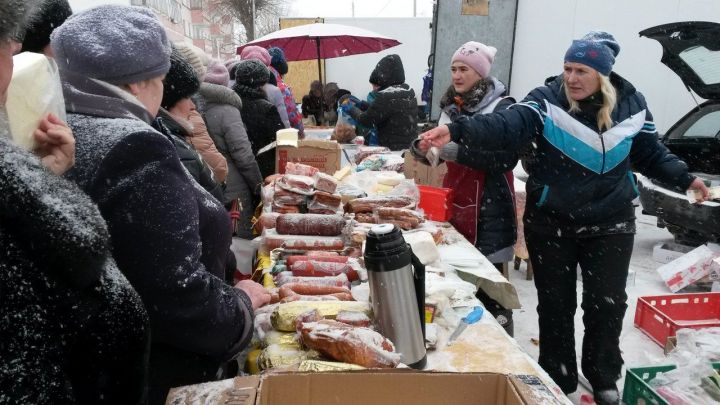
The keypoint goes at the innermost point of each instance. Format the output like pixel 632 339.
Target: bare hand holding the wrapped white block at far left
pixel 55 144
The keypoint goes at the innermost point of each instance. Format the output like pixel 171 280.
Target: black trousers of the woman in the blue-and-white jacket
pixel 604 261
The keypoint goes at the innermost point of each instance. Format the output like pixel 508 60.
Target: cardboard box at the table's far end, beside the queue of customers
pixel 325 155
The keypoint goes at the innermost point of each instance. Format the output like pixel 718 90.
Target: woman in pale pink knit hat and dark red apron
pixel 483 202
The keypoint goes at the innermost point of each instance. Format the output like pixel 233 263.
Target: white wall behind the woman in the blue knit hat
pixel 545 29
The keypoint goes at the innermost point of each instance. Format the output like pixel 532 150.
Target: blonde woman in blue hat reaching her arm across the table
pixel 590 129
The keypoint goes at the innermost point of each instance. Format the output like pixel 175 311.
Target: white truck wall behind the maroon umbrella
pixel 353 72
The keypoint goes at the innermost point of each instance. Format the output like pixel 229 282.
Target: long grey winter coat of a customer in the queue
pixel 221 110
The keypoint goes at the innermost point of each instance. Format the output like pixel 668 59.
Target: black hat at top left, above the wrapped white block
pixel 48 15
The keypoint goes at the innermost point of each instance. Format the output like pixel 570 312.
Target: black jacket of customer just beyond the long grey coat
pixel 262 123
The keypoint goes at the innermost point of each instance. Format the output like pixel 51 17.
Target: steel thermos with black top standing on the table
pixel 397 292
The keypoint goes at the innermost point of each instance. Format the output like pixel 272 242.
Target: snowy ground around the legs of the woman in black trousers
pixel 638 349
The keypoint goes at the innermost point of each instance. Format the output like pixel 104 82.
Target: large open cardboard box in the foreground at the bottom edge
pixel 377 387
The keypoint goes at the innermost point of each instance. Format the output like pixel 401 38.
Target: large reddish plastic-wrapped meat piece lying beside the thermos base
pixel 350 344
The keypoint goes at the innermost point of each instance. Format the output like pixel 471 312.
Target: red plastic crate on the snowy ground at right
pixel 661 316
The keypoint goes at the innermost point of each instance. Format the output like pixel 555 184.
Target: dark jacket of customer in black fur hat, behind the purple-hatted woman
pixel 176 132
